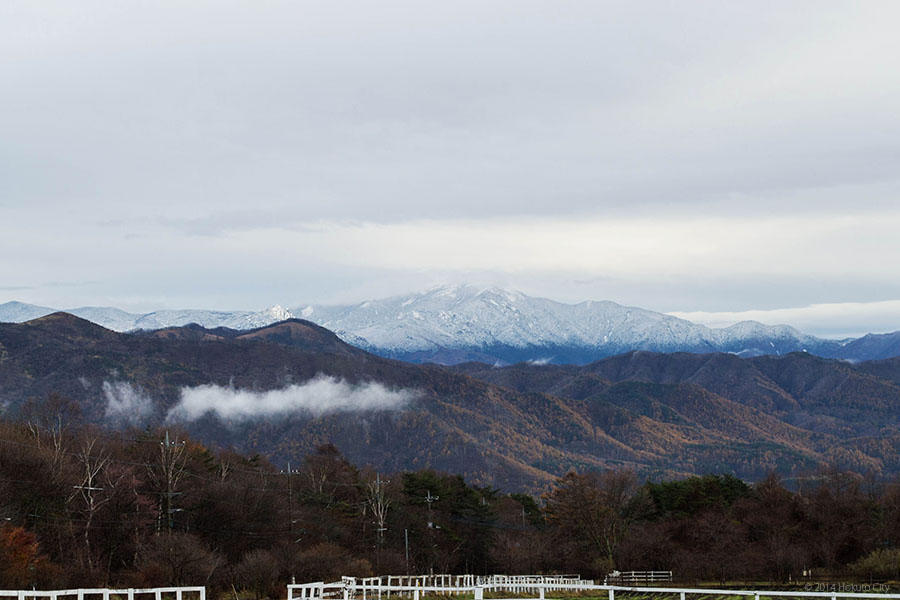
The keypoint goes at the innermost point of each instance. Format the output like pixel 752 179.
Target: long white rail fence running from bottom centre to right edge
pixel 533 585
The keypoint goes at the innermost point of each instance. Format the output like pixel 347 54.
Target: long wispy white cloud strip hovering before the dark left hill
pixel 318 396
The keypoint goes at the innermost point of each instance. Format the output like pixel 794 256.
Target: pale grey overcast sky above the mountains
pixel 704 158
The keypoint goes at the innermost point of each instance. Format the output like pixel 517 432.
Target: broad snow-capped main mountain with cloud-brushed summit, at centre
pixel 456 323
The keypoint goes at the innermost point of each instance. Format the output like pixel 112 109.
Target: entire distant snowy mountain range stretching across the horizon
pixel 450 325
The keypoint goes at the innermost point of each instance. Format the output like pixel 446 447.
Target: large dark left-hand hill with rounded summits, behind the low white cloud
pixel 491 434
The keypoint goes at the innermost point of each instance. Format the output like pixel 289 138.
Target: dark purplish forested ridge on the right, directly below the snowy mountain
pixel 830 397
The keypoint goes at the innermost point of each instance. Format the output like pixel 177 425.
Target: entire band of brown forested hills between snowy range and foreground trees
pixel 284 389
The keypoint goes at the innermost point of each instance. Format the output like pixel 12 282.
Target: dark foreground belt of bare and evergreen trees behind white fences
pixel 83 506
